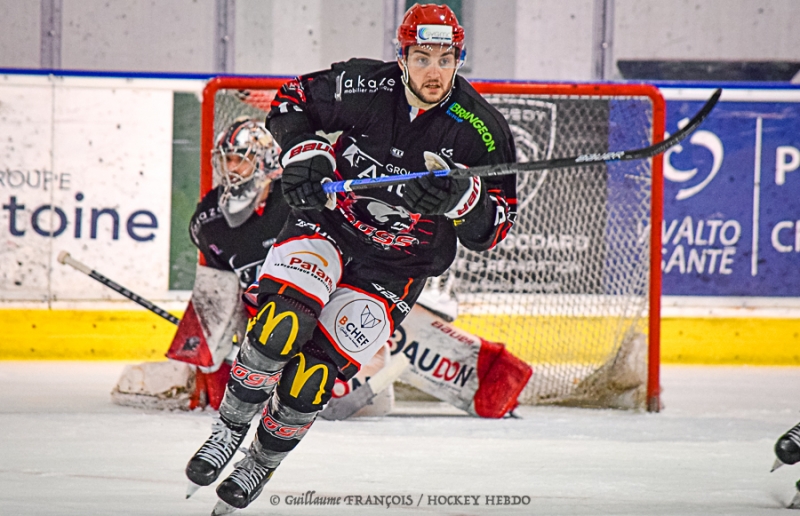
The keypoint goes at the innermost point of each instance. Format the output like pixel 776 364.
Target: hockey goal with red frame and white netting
pixel 570 290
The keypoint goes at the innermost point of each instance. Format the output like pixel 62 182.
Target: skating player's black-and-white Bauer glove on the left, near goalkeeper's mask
pixel 307 163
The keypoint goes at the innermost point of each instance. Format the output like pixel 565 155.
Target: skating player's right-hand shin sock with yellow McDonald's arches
pixel 305 386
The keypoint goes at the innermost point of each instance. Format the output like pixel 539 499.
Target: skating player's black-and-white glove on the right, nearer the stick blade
pixel 452 197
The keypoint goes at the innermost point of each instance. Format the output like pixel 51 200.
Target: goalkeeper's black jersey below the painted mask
pixel 241 249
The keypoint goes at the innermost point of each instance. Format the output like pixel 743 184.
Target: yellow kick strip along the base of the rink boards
pixel 140 335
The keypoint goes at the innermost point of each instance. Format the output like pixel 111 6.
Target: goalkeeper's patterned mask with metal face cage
pixel 245 162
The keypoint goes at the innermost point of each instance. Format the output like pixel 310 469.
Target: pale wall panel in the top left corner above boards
pixel 19 33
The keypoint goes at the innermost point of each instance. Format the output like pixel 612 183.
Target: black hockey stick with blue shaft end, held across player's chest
pixel 514 168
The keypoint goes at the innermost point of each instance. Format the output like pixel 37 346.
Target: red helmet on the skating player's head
pixel 430 24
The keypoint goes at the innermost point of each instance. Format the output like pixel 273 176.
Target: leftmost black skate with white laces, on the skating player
pixel 205 466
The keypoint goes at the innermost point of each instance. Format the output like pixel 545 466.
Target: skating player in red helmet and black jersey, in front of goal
pixel 345 270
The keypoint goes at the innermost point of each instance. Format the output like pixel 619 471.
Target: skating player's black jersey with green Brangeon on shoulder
pixel 365 99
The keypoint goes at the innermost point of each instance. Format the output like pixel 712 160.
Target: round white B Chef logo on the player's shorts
pixel 359 324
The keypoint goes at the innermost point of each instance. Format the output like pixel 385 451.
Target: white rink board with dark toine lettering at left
pixel 88 150
